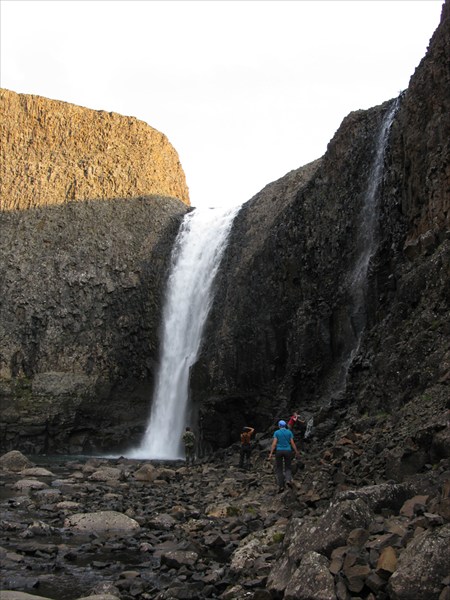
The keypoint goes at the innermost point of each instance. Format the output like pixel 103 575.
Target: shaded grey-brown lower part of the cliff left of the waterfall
pixel 81 298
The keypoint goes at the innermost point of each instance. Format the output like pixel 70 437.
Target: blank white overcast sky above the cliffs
pixel 245 90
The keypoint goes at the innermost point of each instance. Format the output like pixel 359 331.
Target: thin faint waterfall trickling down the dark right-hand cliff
pixel 366 245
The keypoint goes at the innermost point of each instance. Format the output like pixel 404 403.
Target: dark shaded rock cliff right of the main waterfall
pixel 283 332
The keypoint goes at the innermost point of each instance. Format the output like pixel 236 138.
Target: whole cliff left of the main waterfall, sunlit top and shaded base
pixel 92 204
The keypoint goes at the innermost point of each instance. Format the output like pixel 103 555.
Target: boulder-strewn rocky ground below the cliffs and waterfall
pixel 366 518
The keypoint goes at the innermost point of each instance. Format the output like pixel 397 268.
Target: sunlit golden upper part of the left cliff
pixel 54 152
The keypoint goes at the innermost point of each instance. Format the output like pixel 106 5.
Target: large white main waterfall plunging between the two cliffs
pixel 196 258
